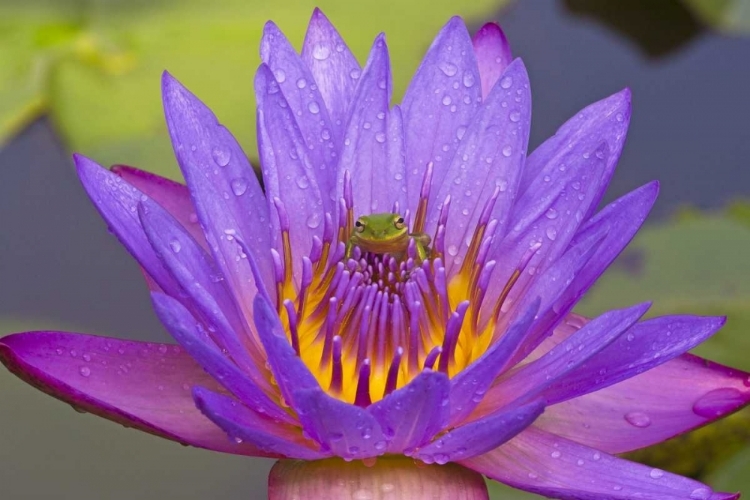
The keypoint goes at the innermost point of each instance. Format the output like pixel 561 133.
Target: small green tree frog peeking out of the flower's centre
pixel 385 233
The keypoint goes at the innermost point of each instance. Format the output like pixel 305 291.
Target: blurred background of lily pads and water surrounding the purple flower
pixel 84 76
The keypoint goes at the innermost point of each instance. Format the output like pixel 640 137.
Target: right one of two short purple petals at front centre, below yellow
pixel 412 415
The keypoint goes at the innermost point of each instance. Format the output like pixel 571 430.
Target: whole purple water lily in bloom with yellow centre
pixel 444 334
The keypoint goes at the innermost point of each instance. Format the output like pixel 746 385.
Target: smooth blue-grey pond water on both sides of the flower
pixel 60 268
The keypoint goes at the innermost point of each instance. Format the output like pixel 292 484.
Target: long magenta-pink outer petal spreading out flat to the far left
pixel 137 384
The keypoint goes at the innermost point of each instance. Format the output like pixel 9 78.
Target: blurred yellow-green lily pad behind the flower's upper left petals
pixel 97 70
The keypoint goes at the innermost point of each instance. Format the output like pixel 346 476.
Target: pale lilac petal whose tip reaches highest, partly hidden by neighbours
pixel 333 66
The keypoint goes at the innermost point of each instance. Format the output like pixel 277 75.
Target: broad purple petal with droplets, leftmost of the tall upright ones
pixel 226 193
